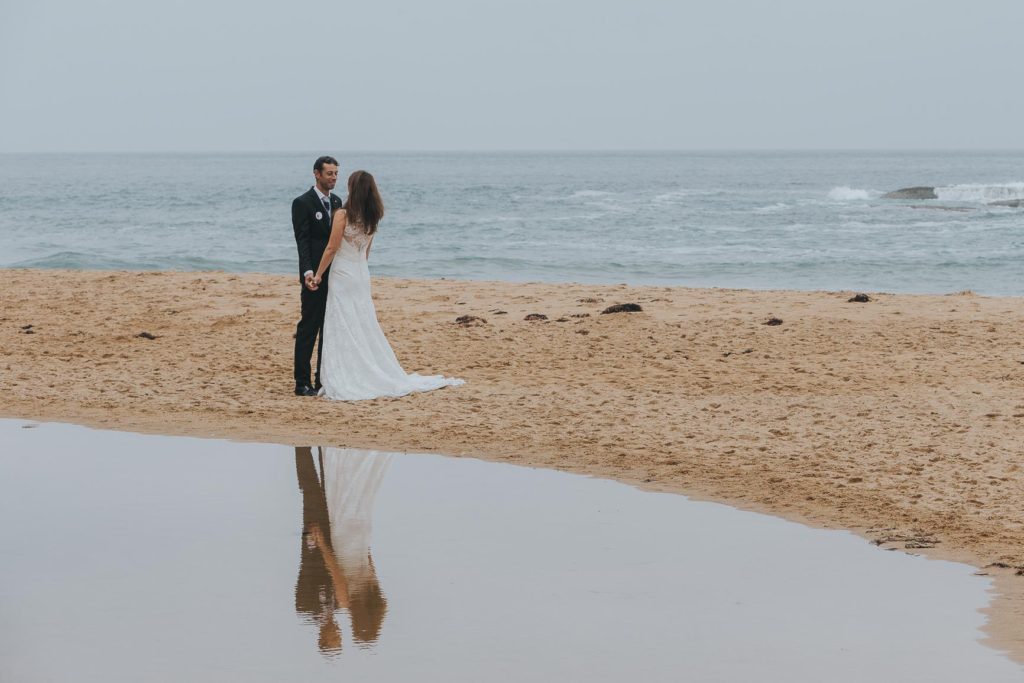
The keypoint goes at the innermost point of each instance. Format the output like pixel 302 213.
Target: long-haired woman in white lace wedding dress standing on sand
pixel 358 362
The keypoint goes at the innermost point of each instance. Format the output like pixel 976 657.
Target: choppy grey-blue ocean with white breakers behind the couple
pixel 807 221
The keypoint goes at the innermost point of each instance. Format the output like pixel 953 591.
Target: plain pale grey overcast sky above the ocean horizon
pixel 383 75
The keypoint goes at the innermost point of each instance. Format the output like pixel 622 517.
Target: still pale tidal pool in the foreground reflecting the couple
pixel 131 558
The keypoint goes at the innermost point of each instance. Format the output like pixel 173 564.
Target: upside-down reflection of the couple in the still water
pixel 336 571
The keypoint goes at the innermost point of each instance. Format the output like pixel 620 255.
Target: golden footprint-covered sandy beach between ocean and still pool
pixel 900 418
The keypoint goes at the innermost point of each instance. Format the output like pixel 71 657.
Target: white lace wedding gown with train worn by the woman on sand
pixel 358 361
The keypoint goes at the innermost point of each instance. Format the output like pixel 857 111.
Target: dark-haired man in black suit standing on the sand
pixel 312 215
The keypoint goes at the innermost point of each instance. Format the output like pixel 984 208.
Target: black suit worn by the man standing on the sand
pixel 312 235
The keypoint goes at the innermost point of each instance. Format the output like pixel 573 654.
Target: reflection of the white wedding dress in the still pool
pixel 352 479
